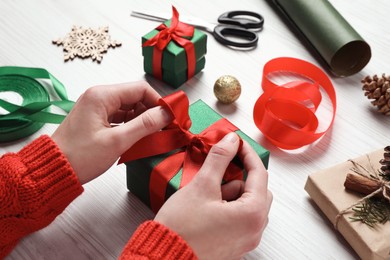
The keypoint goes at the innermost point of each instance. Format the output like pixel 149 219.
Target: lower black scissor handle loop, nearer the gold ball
pixel 247 38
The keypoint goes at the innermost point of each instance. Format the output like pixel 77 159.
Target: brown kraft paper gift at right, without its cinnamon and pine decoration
pixel 326 188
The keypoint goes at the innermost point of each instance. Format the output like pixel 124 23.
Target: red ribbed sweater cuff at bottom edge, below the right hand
pixel 153 240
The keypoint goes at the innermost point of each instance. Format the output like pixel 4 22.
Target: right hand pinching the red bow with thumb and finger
pixel 221 222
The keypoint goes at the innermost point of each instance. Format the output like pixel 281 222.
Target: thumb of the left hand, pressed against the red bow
pixel 150 121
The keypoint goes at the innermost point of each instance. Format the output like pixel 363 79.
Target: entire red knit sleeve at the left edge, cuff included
pixel 36 185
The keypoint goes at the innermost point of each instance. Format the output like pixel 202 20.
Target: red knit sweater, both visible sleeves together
pixel 38 183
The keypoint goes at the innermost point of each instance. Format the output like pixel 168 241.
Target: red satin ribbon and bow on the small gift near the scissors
pixel 176 31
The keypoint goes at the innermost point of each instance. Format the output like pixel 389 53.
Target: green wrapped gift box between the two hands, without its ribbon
pixel 138 172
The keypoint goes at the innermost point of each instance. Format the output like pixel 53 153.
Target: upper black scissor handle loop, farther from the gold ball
pixel 230 18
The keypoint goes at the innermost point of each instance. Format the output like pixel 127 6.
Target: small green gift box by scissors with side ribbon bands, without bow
pixel 175 61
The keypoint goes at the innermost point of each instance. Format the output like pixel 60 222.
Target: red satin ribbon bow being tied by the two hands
pixel 190 149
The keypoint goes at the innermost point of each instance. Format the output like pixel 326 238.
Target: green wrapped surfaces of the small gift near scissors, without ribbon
pixel 174 64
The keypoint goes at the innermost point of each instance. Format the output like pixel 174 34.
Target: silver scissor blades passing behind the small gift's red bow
pixel 161 17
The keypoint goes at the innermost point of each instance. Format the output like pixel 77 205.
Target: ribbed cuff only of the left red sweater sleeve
pixel 51 183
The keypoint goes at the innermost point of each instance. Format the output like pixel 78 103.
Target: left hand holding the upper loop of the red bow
pixel 87 136
